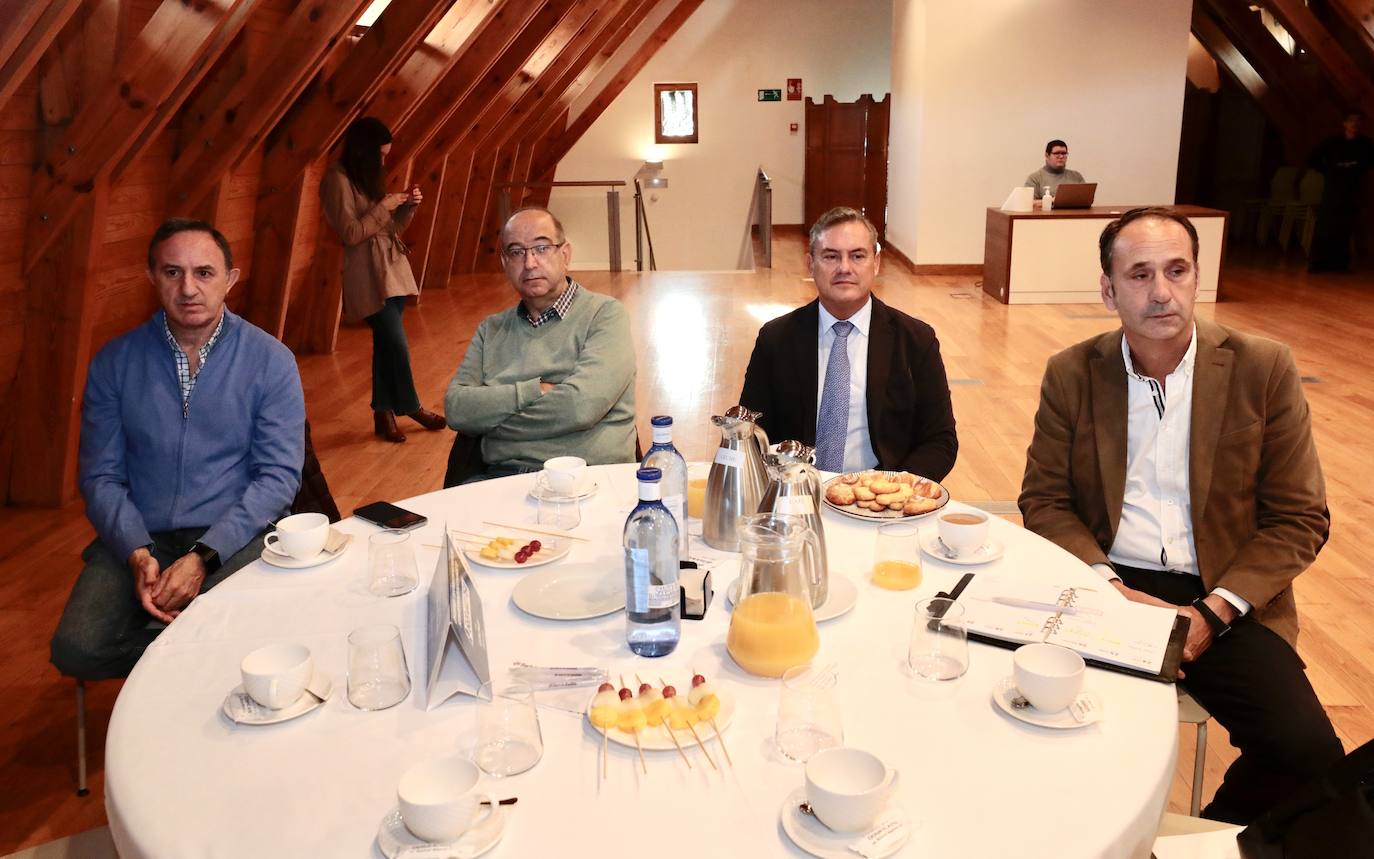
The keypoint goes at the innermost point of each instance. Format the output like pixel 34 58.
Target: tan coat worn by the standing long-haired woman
pixel 376 263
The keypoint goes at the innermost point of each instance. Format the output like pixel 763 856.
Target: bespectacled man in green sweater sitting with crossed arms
pixel 554 376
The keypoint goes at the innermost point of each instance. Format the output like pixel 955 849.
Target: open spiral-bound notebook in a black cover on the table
pixel 1104 629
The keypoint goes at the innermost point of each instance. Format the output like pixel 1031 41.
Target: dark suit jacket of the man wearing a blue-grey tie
pixel 910 416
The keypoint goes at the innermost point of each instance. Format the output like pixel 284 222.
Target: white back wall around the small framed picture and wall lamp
pixel 732 49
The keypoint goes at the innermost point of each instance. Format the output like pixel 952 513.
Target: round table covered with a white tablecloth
pixel 183 781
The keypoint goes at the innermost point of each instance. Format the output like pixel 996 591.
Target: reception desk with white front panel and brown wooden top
pixel 1052 258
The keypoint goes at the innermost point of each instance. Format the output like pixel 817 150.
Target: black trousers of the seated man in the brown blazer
pixel 1254 685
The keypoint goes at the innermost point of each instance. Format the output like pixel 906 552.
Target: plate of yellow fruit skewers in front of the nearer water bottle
pixel 660 719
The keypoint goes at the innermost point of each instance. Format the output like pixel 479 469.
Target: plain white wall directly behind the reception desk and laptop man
pixel 980 86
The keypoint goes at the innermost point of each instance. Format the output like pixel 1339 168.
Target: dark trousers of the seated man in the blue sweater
pixel 105 629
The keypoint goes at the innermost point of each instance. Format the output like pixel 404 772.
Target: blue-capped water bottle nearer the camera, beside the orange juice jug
pixel 652 596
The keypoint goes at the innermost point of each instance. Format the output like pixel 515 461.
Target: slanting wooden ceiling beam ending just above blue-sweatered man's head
pixel 258 101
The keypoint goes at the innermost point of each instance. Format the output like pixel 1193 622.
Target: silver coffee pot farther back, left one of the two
pixel 737 478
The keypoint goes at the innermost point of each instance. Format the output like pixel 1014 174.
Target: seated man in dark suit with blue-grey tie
pixel 861 381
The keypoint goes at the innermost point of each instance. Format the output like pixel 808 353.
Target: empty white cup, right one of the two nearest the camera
pixel 848 788
